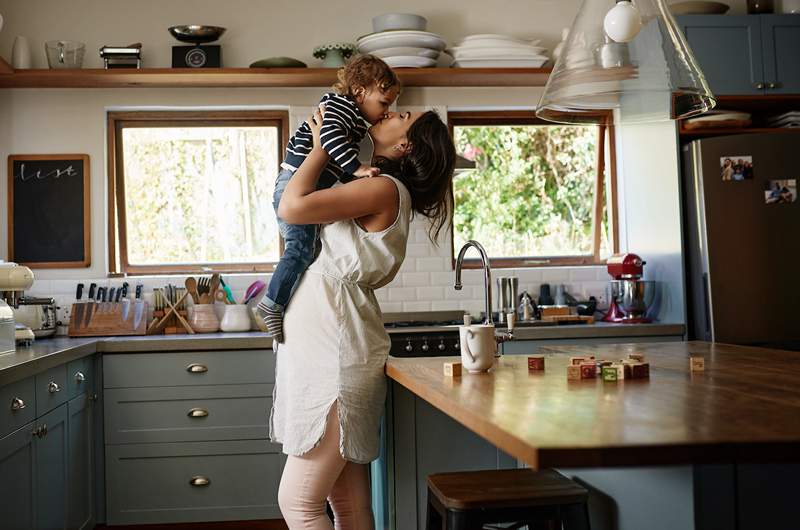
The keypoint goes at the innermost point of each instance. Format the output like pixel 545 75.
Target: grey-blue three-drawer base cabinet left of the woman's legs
pixel 186 437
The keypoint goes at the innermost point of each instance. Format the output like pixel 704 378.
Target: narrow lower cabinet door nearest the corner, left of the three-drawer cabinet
pixel 80 490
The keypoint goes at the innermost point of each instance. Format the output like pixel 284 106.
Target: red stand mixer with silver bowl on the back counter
pixel 629 296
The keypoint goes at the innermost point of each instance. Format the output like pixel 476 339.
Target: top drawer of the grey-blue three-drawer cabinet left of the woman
pixel 137 370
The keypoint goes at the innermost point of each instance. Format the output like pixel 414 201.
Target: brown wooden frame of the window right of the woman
pixel 604 164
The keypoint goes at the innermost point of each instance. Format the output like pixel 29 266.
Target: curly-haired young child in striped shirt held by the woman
pixel 365 90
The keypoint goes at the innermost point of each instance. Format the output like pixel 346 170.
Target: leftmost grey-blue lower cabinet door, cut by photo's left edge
pixel 17 486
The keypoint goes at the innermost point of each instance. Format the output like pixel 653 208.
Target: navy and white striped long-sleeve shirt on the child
pixel 343 128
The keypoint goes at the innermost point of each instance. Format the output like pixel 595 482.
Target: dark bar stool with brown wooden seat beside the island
pixel 469 500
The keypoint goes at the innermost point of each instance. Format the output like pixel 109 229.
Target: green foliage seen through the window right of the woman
pixel 532 192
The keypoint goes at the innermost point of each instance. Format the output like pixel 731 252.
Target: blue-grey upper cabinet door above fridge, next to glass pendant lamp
pixel 728 50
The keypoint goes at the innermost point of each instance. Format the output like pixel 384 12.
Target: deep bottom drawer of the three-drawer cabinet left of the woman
pixel 151 483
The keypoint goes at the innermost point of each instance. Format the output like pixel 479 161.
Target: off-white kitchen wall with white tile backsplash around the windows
pixel 63 120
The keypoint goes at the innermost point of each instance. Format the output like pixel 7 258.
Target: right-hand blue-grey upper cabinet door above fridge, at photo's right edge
pixel 780 36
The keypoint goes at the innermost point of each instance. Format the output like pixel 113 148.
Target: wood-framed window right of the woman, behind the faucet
pixel 539 193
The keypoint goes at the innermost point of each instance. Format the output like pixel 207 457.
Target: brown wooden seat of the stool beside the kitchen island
pixel 504 488
